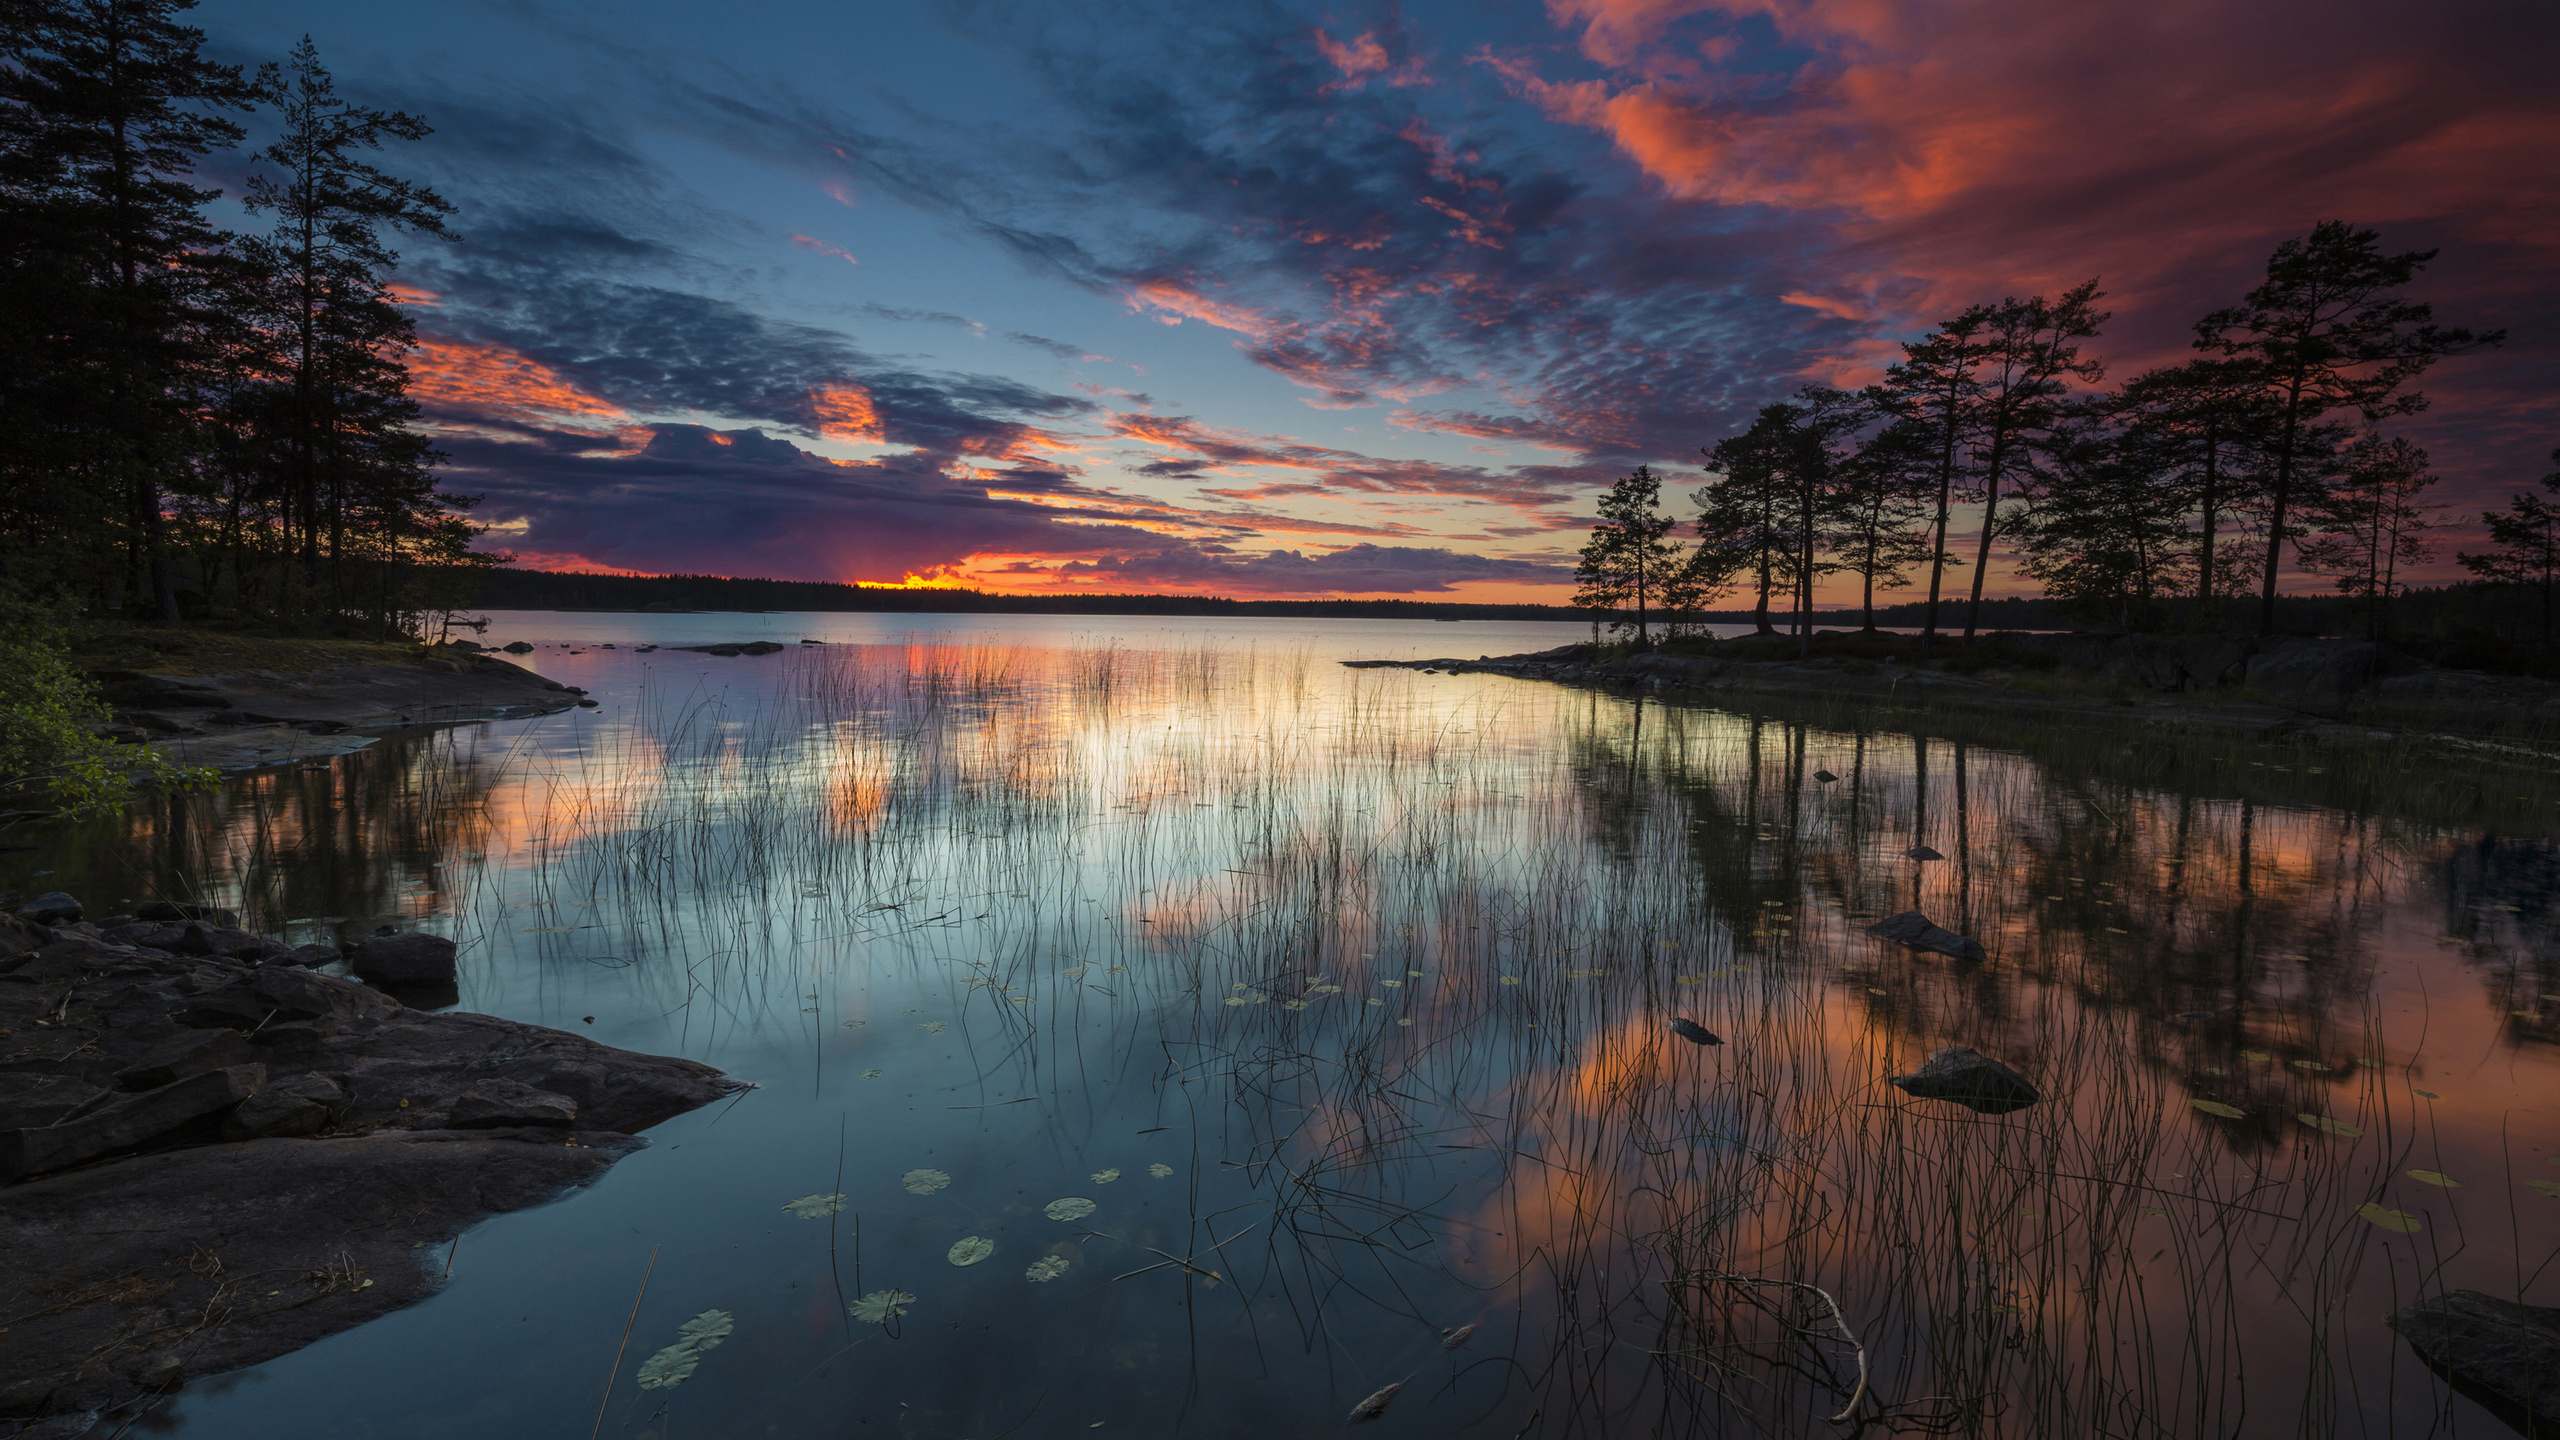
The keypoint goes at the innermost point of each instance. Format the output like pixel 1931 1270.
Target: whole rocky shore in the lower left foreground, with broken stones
pixel 216 1154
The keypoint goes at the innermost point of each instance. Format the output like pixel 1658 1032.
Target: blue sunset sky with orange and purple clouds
pixel 1373 301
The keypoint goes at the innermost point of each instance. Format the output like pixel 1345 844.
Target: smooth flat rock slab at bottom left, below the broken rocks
pixel 227 1257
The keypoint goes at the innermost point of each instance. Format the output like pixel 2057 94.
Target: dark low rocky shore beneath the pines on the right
pixel 2267 688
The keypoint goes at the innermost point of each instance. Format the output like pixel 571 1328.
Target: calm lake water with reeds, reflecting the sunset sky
pixel 1338 1003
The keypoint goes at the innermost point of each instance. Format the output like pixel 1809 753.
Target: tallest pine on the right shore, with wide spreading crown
pixel 2328 332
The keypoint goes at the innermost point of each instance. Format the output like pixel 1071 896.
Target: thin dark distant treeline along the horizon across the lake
pixel 580 591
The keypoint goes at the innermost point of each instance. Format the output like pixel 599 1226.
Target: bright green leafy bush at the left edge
pixel 50 744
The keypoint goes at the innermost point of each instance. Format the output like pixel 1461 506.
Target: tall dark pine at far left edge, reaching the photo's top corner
pixel 106 106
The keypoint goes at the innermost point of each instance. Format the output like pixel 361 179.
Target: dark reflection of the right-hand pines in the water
pixel 2239 937
